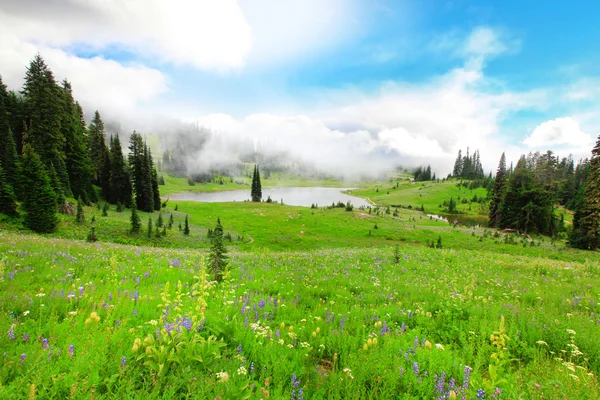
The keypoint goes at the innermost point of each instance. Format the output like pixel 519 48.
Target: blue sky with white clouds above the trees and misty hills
pixel 365 83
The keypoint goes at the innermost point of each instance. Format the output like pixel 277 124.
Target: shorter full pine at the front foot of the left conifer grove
pixel 39 196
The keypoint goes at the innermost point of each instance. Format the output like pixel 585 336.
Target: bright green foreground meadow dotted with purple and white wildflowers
pixel 337 324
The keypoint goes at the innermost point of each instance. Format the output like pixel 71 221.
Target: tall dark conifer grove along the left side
pixel 48 154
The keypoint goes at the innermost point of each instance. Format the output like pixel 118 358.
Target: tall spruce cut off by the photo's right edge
pixel 586 222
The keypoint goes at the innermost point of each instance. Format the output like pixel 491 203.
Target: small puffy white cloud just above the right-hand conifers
pixel 557 132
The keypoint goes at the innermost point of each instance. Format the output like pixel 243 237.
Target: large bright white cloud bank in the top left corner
pixel 202 33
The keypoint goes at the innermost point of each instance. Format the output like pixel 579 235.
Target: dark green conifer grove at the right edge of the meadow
pixel 524 197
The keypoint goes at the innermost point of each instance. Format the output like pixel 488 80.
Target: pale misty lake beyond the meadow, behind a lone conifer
pixel 295 196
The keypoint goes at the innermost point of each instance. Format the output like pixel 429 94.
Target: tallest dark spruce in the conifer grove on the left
pixel 44 116
